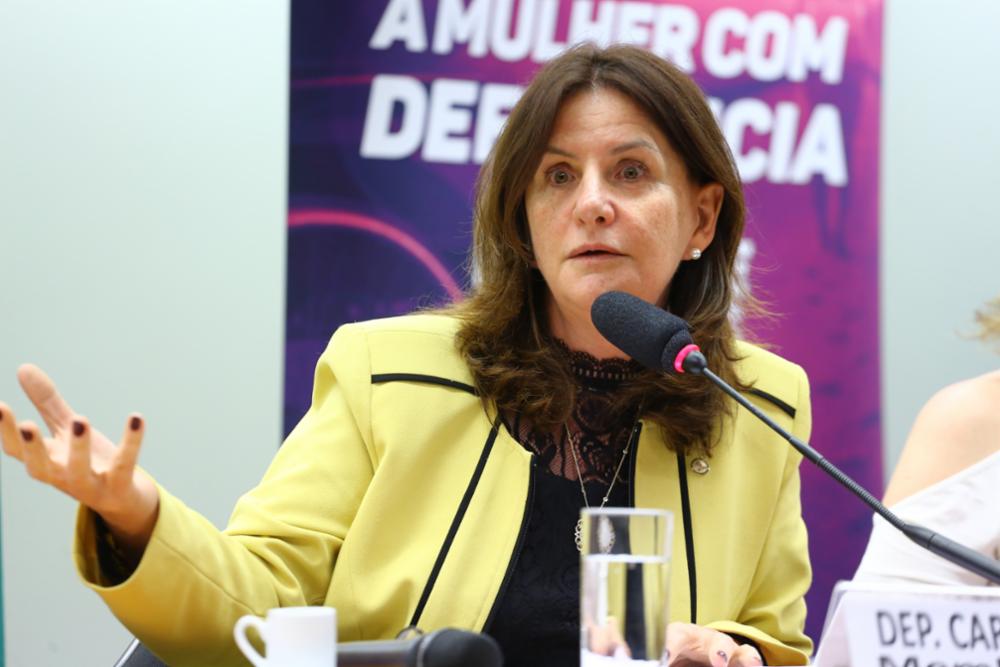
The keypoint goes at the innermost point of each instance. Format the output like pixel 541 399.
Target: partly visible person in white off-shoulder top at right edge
pixel 947 479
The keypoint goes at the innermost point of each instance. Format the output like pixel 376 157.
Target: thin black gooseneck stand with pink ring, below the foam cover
pixel 695 363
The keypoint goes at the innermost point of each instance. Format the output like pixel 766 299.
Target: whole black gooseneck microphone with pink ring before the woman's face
pixel 662 341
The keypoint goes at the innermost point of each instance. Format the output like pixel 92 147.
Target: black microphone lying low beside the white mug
pixel 442 648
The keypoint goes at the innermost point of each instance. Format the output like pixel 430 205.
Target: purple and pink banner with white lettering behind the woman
pixel 395 104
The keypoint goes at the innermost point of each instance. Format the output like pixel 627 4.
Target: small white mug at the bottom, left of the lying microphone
pixel 293 637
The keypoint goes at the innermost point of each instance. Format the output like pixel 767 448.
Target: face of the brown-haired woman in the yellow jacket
pixel 611 207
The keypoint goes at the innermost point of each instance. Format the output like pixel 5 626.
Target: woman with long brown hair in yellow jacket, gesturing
pixel 438 476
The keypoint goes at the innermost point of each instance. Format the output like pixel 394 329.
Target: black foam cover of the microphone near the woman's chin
pixel 648 334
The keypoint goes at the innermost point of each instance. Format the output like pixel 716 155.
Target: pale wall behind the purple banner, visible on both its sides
pixel 142 179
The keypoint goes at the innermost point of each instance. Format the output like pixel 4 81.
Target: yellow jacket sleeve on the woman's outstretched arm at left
pixel 192 581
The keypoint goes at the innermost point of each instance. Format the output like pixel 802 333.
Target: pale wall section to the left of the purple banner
pixel 142 199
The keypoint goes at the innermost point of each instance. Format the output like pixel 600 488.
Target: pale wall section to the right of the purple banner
pixel 940 230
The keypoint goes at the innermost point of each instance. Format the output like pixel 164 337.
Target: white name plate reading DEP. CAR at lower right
pixel 895 625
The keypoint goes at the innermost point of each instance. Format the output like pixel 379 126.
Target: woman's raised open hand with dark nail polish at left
pixel 83 463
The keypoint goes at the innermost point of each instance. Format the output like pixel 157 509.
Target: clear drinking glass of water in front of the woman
pixel 624 596
